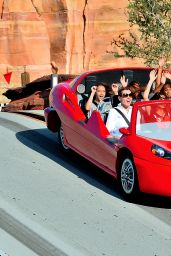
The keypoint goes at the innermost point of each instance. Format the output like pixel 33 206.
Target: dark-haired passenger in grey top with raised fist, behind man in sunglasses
pixel 96 101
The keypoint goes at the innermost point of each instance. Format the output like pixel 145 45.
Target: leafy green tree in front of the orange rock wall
pixel 150 31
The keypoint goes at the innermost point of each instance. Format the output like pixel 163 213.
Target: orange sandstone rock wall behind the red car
pixel 76 34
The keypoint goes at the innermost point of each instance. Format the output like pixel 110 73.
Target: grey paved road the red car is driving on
pixel 55 205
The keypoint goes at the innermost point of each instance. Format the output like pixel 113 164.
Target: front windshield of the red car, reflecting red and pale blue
pixel 154 121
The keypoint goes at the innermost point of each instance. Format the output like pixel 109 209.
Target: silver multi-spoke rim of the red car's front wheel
pixel 127 176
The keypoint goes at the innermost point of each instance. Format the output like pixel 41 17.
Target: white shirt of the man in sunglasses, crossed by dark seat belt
pixel 115 121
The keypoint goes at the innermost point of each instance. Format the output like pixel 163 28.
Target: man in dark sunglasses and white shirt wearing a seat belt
pixel 121 115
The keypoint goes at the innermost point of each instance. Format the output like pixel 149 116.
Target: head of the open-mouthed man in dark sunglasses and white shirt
pixel 125 97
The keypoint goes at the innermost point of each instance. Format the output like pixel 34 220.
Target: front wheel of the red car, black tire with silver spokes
pixel 128 179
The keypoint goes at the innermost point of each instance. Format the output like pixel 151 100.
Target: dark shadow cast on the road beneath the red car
pixel 45 142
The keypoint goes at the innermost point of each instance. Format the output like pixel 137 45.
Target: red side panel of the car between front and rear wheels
pixel 88 138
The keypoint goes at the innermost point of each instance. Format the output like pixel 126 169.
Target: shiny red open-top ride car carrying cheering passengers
pixel 141 159
